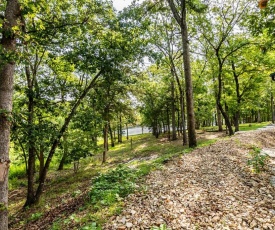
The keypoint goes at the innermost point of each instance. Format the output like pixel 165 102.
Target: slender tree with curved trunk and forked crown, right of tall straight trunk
pixel 224 22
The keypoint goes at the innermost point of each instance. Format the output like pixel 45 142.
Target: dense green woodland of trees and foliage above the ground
pixel 75 76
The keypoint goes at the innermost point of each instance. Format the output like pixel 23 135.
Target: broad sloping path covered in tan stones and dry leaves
pixel 210 188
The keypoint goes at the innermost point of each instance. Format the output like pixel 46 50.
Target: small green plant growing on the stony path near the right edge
pixel 258 160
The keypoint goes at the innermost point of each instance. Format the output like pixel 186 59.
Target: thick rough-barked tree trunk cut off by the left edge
pixel 7 67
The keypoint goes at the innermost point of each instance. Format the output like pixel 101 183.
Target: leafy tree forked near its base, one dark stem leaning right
pixel 92 48
